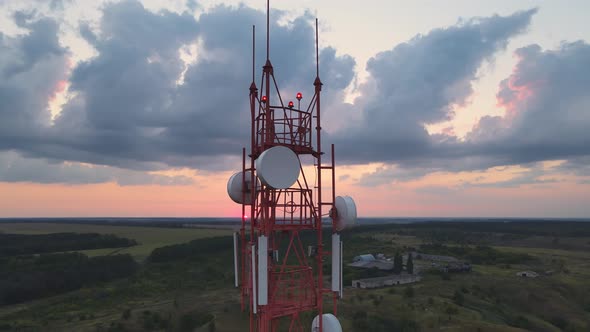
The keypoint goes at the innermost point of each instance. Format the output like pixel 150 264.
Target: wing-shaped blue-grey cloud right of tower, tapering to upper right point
pixel 418 83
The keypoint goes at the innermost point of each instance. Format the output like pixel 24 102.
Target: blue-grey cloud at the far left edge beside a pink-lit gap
pixel 32 69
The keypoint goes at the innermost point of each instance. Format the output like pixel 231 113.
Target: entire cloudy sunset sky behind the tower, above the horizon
pixel 437 108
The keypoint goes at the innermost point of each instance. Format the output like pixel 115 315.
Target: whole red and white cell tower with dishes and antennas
pixel 282 208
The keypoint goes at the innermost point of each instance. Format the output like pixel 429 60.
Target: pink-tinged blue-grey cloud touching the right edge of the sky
pixel 547 108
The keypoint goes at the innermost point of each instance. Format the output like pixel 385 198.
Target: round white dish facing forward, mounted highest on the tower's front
pixel 278 167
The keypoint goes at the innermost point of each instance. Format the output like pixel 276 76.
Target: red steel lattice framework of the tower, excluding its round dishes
pixel 279 279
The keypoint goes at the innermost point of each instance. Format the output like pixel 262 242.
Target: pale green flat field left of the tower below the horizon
pixel 148 238
